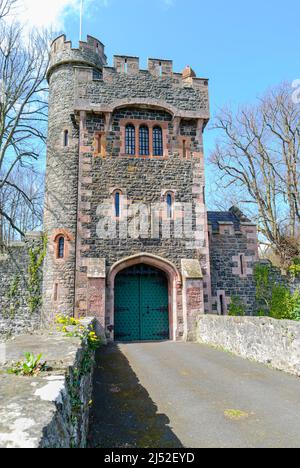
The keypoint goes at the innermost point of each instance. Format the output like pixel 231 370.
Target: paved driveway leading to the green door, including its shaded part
pixel 173 395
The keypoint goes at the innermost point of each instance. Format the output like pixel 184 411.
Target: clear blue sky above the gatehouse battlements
pixel 242 47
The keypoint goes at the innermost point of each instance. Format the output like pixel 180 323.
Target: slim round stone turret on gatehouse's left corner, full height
pixel 61 200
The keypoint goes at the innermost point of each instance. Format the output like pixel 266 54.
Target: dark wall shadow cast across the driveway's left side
pixel 123 414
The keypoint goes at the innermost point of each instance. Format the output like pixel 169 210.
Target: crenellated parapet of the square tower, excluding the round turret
pixel 183 95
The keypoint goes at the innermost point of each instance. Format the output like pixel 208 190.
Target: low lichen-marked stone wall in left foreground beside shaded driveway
pixel 50 410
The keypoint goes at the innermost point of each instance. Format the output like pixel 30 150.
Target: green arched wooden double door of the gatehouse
pixel 141 305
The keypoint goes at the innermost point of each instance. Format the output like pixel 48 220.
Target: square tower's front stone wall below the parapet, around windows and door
pixel 143 183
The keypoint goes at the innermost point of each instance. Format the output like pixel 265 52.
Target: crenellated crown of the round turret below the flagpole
pixel 89 53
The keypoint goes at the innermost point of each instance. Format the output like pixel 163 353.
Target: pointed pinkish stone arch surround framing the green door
pixel 174 286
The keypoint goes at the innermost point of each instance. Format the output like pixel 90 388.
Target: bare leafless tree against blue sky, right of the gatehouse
pixel 258 155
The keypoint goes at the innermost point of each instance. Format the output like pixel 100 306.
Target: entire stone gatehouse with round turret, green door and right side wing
pixel 130 239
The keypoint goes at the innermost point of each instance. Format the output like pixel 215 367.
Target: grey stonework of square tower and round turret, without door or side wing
pixel 89 106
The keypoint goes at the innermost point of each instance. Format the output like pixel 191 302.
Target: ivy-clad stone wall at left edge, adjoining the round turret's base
pixel 15 314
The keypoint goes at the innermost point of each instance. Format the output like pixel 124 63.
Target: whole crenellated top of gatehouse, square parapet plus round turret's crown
pixel 101 88
